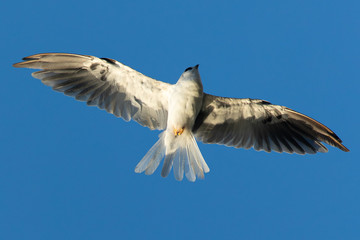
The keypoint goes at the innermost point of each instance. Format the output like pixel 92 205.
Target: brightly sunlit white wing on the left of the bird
pixel 105 83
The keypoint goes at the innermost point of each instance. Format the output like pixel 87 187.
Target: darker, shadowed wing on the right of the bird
pixel 246 123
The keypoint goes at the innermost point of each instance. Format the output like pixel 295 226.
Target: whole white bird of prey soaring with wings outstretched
pixel 182 110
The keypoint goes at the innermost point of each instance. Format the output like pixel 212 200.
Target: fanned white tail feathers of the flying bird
pixel 181 152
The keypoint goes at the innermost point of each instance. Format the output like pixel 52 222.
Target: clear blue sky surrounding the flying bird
pixel 67 170
